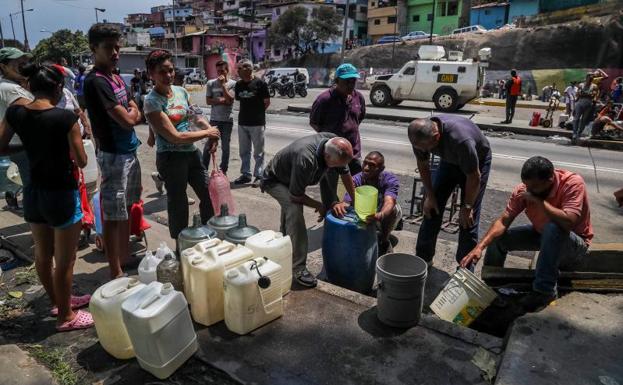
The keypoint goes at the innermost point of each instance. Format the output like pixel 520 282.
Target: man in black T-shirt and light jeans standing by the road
pixel 254 99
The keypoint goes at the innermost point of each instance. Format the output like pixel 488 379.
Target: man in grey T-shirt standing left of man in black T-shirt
pixel 220 95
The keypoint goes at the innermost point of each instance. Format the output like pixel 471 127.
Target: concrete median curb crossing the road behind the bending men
pixel 531 131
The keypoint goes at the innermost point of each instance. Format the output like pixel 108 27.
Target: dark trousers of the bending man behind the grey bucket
pixel 445 179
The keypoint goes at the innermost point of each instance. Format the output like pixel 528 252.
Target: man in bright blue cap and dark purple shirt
pixel 340 110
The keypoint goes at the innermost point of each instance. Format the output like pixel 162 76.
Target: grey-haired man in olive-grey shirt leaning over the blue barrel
pixel 299 165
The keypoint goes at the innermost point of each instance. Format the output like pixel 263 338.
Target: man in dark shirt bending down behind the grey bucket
pixel 465 161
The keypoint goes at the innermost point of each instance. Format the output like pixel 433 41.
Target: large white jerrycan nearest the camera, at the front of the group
pixel 160 328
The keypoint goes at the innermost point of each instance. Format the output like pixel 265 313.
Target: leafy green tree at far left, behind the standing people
pixel 63 43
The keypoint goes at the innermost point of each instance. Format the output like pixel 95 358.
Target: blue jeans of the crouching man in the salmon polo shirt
pixel 559 249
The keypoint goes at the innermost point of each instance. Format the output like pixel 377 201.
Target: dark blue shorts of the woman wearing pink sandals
pixel 56 208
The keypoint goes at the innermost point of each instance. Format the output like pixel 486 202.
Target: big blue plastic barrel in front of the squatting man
pixel 349 252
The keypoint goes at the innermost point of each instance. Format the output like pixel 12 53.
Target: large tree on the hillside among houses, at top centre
pixel 294 29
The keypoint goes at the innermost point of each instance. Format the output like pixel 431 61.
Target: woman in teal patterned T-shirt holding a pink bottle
pixel 177 159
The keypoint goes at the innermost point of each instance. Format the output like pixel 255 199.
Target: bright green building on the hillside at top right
pixel 449 15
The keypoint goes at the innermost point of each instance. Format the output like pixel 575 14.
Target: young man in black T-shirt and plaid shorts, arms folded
pixel 113 114
